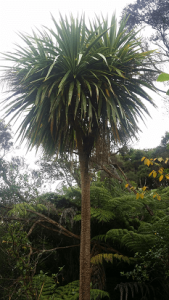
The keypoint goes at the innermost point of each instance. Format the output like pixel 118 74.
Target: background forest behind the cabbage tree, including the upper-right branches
pixel 41 211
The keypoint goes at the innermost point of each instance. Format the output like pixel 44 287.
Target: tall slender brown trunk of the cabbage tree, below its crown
pixel 84 292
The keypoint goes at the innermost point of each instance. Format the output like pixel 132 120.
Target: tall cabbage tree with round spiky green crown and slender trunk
pixel 72 84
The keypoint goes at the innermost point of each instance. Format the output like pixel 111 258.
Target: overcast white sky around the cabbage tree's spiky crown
pixel 24 15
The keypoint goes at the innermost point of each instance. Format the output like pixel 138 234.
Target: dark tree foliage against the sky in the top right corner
pixel 152 16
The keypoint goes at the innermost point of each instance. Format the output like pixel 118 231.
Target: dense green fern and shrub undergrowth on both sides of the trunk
pixel 40 241
